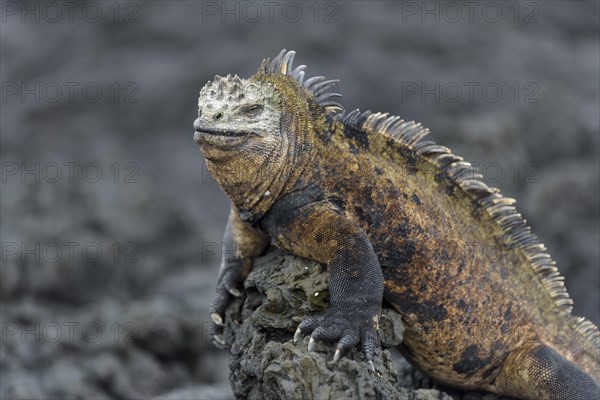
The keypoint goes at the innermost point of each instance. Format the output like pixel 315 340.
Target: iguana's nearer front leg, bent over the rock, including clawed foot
pixel 321 232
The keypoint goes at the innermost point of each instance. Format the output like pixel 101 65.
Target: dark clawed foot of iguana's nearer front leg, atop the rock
pixel 346 327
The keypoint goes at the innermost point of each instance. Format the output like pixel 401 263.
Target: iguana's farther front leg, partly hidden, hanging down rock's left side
pixel 241 244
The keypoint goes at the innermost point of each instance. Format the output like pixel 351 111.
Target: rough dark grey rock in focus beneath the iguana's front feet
pixel 265 363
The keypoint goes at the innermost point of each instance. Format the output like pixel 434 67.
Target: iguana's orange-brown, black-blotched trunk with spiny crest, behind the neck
pixel 460 264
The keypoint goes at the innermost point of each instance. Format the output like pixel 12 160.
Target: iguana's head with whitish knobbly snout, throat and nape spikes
pixel 253 131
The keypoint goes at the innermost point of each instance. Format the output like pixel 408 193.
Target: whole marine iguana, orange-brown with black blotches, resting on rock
pixel 392 217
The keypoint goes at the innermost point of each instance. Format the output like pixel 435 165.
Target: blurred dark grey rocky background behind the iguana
pixel 111 225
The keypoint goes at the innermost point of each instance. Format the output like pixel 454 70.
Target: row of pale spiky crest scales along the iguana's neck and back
pixel 406 136
